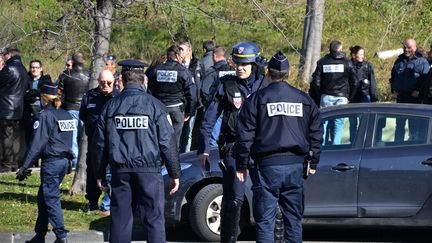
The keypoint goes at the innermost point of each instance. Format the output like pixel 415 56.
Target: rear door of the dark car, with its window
pixel 395 175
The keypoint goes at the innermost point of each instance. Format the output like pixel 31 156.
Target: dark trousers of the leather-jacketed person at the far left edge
pixel 12 144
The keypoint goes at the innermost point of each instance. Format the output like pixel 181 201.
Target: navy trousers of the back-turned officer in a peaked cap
pixel 146 191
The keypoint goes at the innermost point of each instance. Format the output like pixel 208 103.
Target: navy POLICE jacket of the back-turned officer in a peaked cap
pixel 134 134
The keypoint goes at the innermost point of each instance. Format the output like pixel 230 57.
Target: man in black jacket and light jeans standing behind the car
pixel 337 83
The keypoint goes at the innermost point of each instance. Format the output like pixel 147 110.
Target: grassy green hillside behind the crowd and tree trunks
pixel 146 28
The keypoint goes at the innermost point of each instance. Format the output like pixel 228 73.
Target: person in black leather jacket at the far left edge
pixel 14 81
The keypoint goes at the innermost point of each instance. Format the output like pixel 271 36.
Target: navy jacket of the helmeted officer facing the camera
pixel 230 96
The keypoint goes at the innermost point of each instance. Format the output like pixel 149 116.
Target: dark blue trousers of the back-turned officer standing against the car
pixel 275 184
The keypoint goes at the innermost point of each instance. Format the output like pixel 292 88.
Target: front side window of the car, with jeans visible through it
pixel 340 131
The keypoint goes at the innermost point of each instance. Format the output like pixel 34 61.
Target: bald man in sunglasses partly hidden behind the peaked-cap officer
pixel 91 106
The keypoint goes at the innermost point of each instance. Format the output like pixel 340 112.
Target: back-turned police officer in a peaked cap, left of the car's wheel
pixel 135 136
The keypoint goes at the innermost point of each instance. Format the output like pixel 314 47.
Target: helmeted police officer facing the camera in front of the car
pixel 229 99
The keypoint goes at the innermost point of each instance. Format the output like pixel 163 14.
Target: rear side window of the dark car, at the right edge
pixel 396 130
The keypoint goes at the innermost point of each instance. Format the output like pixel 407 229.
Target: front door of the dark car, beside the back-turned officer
pixel 332 191
